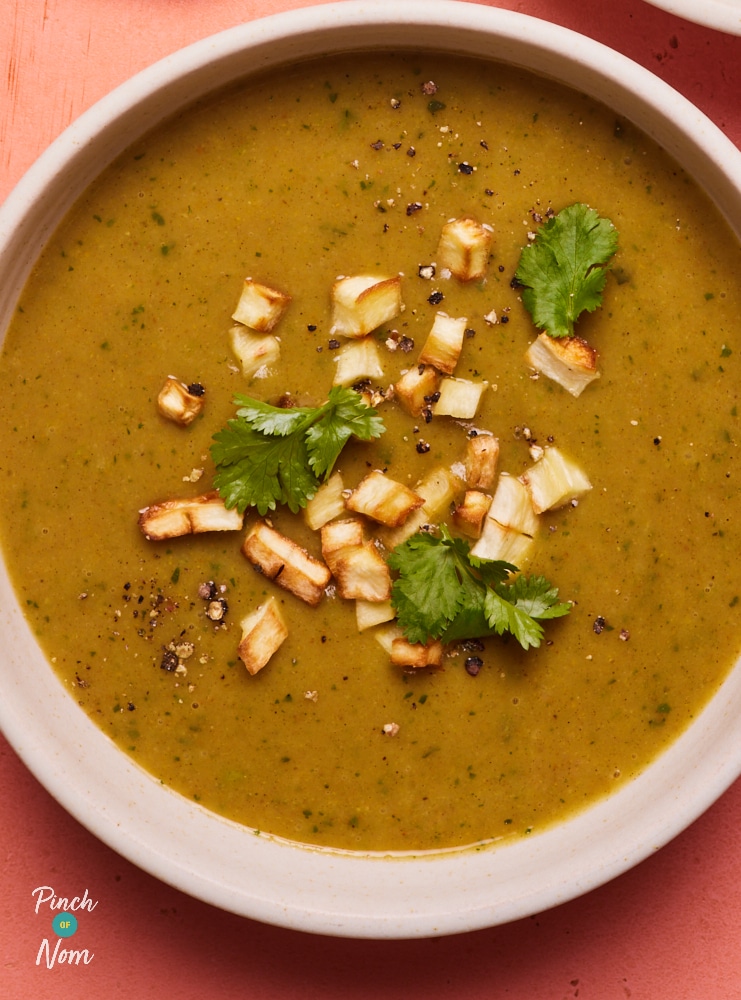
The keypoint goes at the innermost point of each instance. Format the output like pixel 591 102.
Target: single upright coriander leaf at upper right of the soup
pixel 563 271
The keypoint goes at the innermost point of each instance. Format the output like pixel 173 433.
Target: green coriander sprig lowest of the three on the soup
pixel 443 592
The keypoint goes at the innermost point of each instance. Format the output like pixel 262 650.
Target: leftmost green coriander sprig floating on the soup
pixel 269 455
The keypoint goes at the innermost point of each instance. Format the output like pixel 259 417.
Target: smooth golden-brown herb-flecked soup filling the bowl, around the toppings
pixel 294 179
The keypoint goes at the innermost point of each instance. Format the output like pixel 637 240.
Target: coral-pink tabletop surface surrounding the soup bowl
pixel 668 928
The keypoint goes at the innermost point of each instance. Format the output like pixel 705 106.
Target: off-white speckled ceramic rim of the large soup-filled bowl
pixel 197 851
